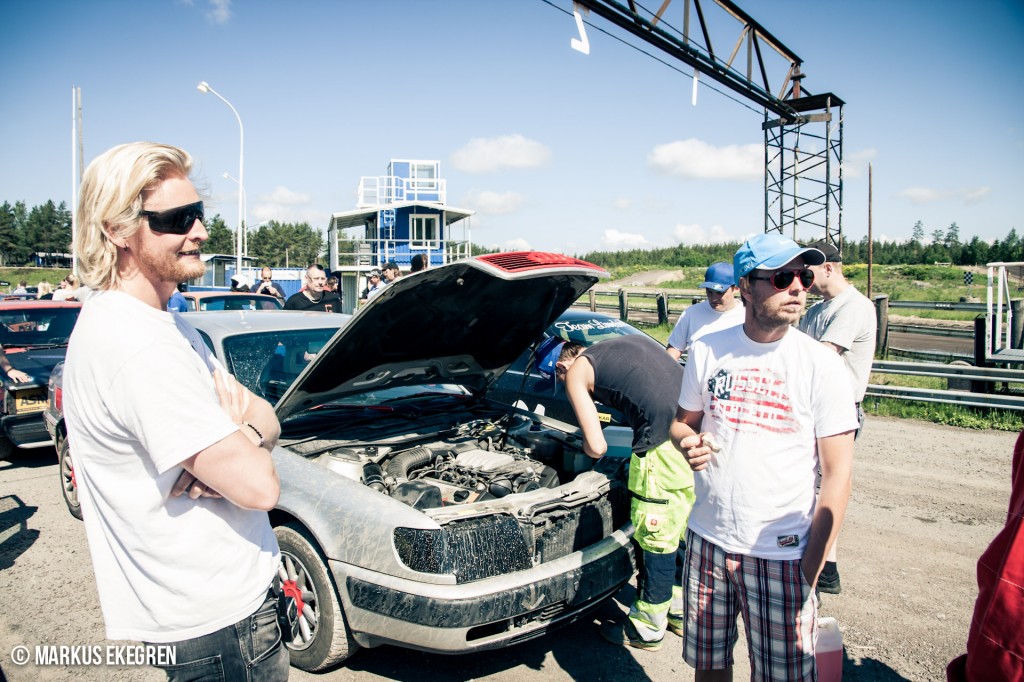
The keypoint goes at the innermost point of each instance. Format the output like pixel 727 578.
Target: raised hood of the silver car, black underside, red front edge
pixel 459 324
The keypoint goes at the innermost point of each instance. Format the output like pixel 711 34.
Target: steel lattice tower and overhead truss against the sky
pixel 803 133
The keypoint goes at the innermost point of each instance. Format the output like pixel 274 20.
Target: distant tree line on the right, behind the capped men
pixel 945 247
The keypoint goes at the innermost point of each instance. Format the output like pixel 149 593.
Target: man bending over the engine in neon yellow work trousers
pixel 639 379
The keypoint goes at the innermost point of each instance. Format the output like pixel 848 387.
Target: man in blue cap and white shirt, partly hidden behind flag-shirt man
pixel 720 311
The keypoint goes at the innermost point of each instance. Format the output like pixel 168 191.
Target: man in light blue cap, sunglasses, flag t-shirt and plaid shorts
pixel 762 406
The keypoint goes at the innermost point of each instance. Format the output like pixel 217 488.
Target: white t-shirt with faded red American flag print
pixel 766 405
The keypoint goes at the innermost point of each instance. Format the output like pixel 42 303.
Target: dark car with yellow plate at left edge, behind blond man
pixel 34 335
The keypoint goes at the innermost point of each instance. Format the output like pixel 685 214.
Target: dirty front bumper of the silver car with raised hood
pixel 483 615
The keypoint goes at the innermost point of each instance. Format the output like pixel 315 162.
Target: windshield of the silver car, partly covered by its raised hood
pixel 269 363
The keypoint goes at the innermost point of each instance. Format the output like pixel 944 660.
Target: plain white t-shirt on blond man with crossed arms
pixel 139 400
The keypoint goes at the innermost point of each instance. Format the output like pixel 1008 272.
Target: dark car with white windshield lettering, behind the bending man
pixel 522 382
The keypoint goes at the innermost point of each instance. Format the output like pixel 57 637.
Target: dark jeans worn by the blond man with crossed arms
pixel 250 651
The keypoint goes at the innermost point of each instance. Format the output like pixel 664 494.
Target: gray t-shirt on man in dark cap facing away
pixel 847 321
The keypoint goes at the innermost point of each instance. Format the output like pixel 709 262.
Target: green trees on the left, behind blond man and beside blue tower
pixel 46 231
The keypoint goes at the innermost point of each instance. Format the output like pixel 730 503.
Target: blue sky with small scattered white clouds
pixel 554 150
